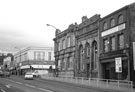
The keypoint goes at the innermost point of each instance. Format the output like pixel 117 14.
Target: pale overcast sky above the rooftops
pixel 23 22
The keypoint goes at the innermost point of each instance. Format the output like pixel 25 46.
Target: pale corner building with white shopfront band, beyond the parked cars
pixel 37 58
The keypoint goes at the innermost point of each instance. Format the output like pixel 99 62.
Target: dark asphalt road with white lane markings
pixel 18 84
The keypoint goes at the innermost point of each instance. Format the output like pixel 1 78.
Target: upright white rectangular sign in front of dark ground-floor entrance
pixel 118 64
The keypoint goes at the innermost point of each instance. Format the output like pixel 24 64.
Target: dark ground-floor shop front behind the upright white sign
pixel 112 71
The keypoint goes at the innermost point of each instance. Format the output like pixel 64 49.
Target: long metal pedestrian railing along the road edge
pixel 118 85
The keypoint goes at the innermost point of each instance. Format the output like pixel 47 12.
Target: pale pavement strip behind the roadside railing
pixel 92 84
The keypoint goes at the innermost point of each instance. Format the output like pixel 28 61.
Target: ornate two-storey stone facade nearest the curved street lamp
pixel 65 51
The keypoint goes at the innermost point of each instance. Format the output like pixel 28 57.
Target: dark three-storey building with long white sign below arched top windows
pixel 117 31
